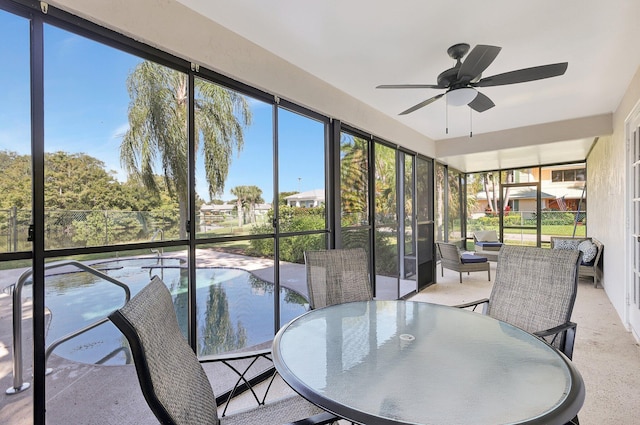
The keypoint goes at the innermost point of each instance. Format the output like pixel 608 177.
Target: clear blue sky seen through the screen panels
pixel 86 104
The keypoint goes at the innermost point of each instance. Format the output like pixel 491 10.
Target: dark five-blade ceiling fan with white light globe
pixel 460 82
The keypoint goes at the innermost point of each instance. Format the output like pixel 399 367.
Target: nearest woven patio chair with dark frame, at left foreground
pixel 172 379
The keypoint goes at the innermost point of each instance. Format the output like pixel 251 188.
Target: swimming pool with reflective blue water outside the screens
pixel 234 308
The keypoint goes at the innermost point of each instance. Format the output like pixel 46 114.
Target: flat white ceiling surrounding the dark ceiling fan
pixel 356 45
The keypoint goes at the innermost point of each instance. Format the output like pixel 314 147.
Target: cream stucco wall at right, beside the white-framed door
pixel 606 209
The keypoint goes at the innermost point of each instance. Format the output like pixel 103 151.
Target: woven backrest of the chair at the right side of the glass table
pixel 535 288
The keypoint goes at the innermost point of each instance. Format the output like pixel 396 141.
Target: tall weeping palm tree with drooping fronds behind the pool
pixel 157 135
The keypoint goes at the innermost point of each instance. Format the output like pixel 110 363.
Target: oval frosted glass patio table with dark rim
pixel 402 362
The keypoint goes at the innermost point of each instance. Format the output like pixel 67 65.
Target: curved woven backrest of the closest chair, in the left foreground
pixel 172 380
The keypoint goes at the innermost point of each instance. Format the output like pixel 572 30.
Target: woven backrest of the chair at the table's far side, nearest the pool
pixel 337 276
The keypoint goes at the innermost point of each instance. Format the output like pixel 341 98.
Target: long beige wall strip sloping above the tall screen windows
pixel 173 28
